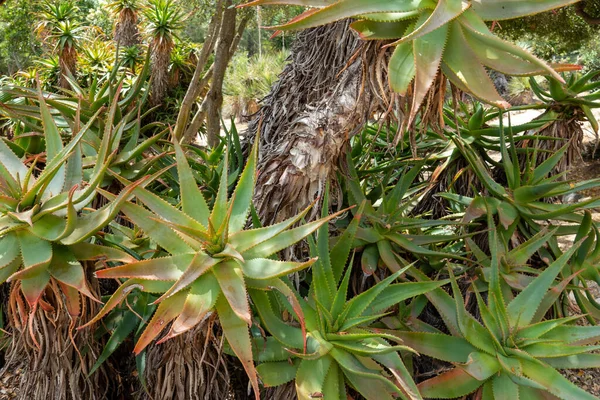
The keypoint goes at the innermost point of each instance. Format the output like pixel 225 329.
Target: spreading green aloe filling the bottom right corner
pixel 512 352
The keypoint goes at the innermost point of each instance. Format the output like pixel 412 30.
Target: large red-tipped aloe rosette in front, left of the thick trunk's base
pixel 213 260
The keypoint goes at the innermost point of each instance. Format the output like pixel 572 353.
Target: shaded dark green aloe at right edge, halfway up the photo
pixel 522 206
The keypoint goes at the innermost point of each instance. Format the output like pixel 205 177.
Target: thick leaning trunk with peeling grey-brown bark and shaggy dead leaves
pixel 334 83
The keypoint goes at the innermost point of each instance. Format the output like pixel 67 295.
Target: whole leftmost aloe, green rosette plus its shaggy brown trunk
pixel 45 255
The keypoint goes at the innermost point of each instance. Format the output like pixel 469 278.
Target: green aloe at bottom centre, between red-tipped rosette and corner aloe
pixel 339 349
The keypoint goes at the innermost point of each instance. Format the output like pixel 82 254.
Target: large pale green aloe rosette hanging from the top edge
pixel 430 35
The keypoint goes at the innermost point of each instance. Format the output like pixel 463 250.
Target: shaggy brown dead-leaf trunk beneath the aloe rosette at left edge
pixel 47 358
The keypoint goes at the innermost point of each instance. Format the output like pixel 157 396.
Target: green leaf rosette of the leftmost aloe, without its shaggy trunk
pixel 43 223
